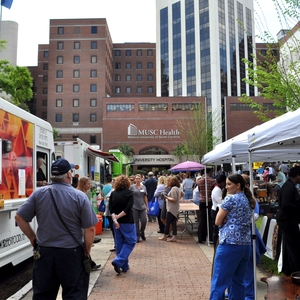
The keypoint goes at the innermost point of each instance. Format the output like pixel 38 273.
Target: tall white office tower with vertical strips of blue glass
pixel 201 45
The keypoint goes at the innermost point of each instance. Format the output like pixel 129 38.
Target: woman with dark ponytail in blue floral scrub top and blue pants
pixel 233 252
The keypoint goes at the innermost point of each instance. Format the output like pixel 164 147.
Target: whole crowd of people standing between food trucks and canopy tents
pixel 227 208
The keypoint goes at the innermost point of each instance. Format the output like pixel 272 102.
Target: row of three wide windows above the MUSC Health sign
pixel 151 107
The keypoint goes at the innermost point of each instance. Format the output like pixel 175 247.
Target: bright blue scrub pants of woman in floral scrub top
pixel 229 270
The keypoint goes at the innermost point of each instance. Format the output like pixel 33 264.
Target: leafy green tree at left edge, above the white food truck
pixel 16 82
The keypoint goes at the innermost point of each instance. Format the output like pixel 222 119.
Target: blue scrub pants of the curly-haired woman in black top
pixel 125 239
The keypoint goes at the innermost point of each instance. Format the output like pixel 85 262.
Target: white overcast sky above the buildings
pixel 128 20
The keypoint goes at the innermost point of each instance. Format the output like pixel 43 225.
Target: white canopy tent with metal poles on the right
pixel 277 139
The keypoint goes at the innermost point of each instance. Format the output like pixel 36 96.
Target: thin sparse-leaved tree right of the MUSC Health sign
pixel 197 133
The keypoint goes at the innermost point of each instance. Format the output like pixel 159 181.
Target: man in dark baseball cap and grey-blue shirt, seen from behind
pixel 60 256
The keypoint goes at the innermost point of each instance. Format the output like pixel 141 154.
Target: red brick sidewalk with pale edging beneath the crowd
pixel 158 270
